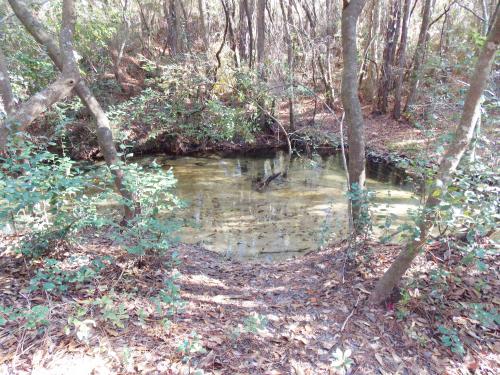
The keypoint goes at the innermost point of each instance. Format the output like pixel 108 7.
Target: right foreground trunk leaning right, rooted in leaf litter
pixel 459 144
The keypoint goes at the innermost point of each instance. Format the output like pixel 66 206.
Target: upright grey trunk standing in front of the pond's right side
pixel 350 99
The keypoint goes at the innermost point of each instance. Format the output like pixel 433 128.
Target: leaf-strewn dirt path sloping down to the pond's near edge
pixel 310 313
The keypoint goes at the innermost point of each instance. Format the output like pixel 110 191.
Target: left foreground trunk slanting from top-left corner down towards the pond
pixel 104 134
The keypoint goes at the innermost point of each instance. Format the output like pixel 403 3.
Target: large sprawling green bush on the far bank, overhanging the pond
pixel 183 102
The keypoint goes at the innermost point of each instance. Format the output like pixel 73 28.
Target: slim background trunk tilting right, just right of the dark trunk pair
pixel 419 57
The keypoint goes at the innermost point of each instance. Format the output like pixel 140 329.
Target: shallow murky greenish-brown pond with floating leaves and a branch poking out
pixel 291 216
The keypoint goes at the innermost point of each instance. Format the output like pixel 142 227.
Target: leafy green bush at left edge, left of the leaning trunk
pixel 41 195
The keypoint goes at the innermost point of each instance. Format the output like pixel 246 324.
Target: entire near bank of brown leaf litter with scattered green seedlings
pixel 302 316
